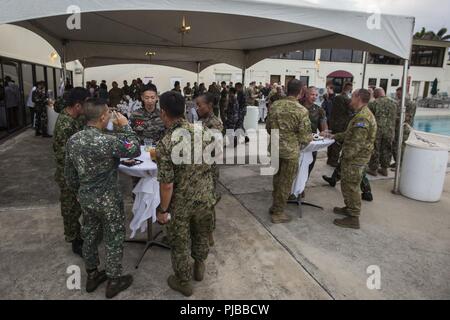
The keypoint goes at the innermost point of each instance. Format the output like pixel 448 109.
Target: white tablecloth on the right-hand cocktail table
pixel 305 159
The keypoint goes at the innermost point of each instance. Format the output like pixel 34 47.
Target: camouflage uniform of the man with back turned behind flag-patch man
pixel 384 110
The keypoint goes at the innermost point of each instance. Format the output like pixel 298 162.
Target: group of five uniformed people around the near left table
pixel 88 157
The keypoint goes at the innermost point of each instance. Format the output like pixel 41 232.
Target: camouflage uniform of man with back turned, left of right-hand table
pixel 292 121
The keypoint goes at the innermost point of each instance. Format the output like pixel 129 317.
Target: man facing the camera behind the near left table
pixel 146 122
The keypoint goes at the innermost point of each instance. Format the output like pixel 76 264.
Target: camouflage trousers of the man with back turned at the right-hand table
pixel 282 184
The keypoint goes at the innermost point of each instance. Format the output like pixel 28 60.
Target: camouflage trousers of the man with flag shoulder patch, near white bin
pixel 351 180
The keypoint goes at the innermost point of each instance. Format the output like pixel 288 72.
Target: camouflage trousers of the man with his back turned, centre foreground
pixel 194 223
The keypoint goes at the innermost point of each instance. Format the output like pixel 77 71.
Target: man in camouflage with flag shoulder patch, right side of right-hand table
pixel 357 147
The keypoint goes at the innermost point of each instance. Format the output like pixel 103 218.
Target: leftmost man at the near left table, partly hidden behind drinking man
pixel 67 124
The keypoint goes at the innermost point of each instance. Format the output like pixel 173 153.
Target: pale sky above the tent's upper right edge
pixel 431 14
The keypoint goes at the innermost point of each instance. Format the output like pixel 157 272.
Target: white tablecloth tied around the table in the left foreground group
pixel 146 191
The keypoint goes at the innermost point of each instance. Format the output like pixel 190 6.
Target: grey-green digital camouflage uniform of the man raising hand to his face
pixel 92 159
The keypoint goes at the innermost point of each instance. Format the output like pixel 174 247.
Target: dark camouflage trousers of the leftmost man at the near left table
pixel 70 211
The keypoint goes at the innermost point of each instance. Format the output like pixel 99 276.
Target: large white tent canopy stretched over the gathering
pixel 239 33
